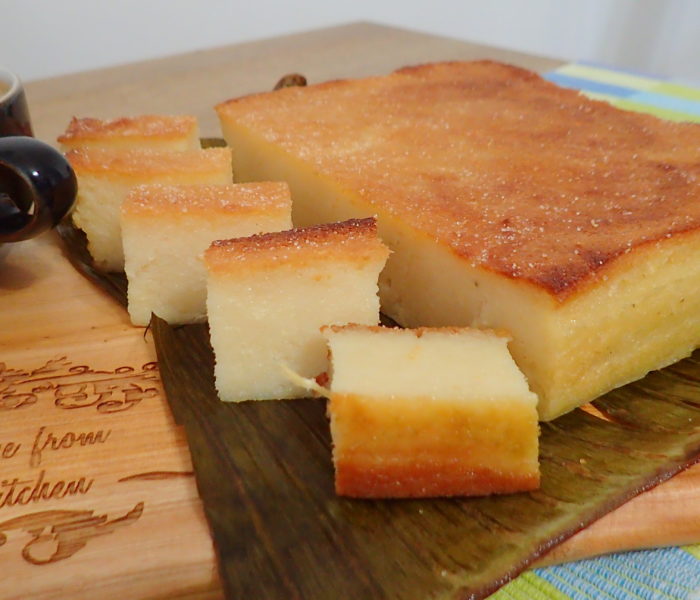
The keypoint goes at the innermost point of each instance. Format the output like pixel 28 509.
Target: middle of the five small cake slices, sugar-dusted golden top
pixel 167 228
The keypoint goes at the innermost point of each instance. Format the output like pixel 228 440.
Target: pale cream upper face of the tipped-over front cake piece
pixel 470 365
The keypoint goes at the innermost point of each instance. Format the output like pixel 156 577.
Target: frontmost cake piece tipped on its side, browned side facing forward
pixel 429 412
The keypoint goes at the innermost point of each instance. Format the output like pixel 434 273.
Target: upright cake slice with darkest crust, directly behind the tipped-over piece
pixel 268 296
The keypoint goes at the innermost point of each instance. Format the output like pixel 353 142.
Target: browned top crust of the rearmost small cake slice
pixel 144 126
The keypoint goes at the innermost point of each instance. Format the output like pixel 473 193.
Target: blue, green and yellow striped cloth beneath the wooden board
pixel 666 573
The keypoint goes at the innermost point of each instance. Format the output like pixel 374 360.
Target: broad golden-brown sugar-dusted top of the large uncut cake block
pixel 513 173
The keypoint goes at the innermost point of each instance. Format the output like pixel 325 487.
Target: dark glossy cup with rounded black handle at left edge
pixel 37 185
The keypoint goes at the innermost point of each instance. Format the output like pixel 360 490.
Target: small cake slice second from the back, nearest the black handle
pixel 106 176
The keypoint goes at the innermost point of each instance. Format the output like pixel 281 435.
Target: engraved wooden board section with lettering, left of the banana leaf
pixel 96 491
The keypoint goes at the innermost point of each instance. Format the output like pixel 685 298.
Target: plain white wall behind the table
pixel 42 38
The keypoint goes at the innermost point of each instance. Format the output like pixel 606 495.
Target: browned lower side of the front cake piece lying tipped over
pixel 459 462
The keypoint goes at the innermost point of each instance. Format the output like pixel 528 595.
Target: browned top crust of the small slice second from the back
pixel 139 163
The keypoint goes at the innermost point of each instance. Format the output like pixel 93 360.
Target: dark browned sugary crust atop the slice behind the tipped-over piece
pixel 354 241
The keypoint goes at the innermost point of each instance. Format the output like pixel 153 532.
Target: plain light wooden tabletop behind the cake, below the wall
pixel 193 83
